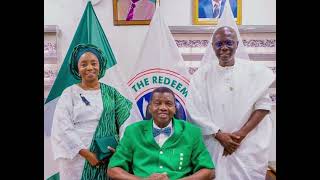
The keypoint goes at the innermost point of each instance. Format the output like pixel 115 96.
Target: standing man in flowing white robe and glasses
pixel 228 99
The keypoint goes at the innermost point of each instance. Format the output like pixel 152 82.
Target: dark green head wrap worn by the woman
pixel 78 51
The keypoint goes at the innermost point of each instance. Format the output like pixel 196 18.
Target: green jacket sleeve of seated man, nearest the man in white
pixel 200 157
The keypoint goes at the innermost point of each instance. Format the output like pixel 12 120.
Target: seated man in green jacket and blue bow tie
pixel 163 147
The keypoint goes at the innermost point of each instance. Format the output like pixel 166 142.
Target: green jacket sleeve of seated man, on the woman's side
pixel 123 156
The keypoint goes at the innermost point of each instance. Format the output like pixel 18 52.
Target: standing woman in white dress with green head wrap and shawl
pixel 86 111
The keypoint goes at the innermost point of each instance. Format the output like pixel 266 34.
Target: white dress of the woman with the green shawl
pixel 74 124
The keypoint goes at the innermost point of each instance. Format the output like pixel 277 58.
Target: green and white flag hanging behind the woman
pixel 90 31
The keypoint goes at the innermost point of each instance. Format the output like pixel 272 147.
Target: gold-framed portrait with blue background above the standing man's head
pixel 207 12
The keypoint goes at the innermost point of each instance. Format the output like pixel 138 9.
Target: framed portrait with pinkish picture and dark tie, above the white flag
pixel 133 12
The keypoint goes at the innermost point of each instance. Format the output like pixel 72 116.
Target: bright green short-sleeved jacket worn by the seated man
pixel 182 154
